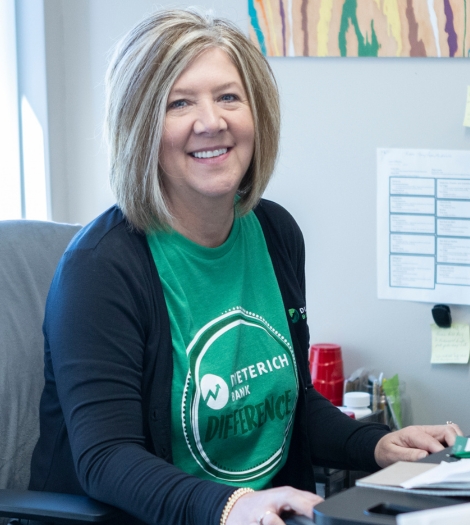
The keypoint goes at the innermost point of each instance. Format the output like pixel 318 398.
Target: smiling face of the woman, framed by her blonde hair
pixel 208 138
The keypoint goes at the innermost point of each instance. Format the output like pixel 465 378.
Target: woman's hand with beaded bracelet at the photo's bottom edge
pixel 264 507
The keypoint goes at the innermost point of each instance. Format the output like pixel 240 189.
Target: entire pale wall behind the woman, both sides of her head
pixel 336 112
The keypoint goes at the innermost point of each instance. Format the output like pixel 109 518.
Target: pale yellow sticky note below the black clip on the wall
pixel 450 345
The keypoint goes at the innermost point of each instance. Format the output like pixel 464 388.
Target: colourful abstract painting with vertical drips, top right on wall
pixel 364 28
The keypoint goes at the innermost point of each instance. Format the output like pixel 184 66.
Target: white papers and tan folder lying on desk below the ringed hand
pixel 446 479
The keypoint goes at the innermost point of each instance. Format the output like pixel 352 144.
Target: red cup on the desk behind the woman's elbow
pixel 326 370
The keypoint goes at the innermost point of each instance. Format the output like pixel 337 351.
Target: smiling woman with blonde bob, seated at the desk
pixel 177 385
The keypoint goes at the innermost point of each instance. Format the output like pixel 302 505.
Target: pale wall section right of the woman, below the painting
pixel 336 112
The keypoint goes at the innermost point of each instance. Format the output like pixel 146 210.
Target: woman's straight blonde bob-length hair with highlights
pixel 144 68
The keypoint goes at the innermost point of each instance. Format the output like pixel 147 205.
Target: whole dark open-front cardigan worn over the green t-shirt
pixel 105 409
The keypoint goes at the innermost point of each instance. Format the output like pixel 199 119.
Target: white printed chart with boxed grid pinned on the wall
pixel 423 221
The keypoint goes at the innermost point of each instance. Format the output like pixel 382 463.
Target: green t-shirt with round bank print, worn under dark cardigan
pixel 235 383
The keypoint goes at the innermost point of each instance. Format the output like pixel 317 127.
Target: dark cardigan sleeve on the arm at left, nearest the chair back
pixel 99 313
